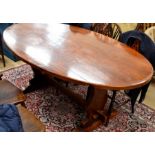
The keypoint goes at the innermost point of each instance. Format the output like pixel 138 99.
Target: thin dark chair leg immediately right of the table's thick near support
pixel 110 107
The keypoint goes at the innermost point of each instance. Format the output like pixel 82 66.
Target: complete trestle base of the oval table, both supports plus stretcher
pixel 94 104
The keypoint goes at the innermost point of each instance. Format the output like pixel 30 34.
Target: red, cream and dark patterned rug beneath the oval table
pixel 59 113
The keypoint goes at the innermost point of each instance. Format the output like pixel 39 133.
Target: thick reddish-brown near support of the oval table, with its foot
pixel 96 101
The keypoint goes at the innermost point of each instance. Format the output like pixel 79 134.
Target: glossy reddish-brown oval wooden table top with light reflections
pixel 79 55
